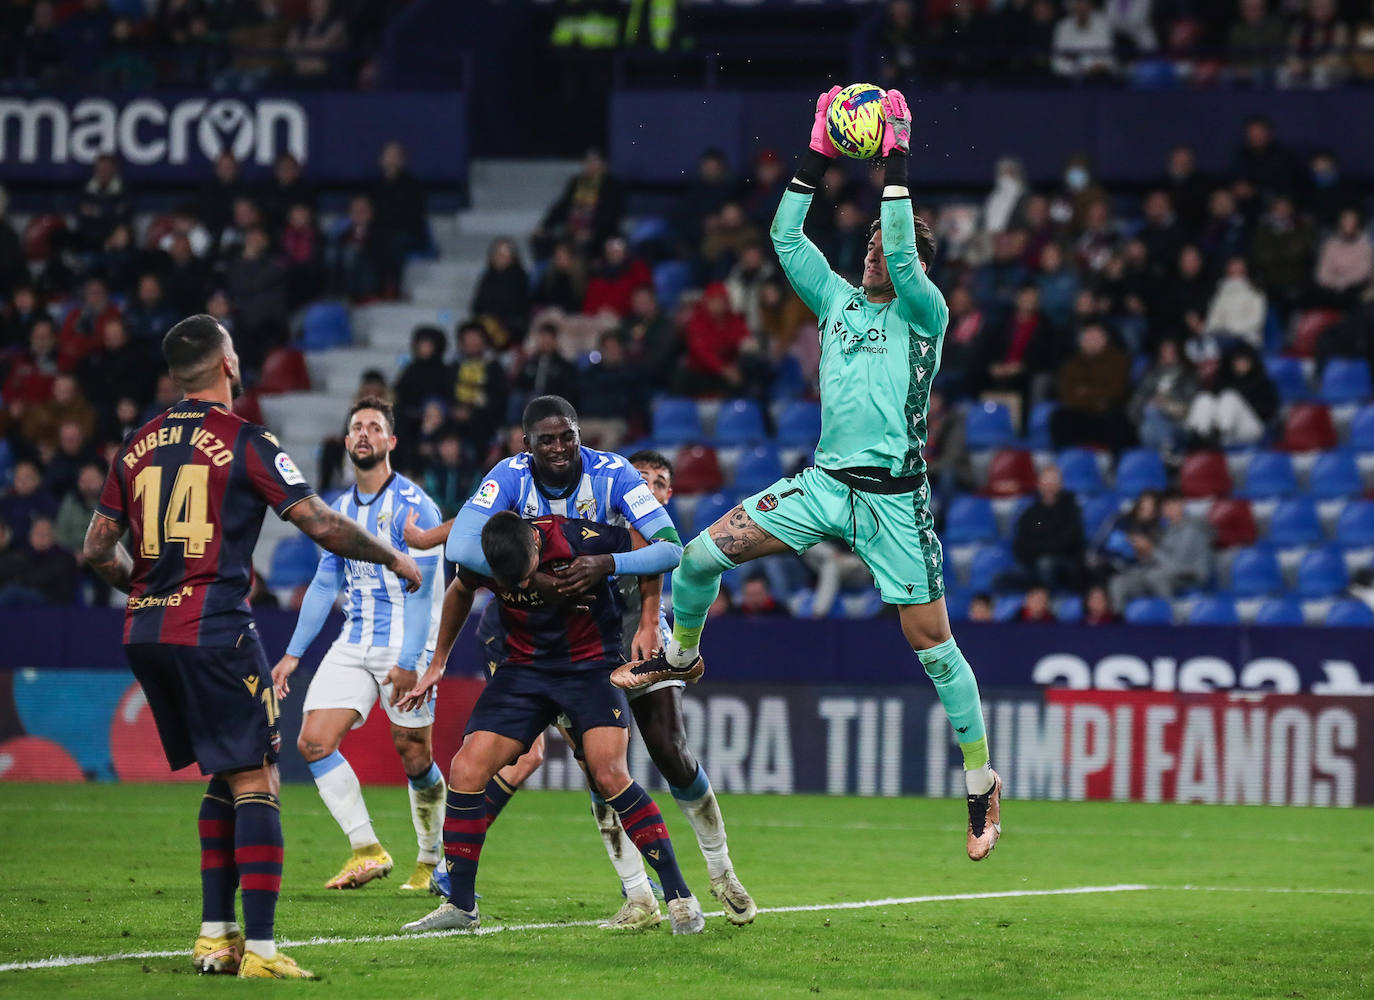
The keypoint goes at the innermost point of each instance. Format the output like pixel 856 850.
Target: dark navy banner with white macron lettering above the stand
pixel 175 137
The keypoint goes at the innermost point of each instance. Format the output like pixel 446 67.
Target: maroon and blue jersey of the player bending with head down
pixel 542 635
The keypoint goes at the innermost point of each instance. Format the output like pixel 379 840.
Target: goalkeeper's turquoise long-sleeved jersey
pixel 877 359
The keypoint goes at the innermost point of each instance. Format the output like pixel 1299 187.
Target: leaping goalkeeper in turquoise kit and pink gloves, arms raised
pixel 880 351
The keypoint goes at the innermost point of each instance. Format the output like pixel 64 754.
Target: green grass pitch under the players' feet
pixel 1283 902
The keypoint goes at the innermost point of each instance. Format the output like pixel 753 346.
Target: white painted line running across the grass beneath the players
pixel 68 961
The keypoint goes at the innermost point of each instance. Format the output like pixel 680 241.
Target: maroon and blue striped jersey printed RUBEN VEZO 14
pixel 193 486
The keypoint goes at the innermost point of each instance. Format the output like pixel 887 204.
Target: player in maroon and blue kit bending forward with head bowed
pixel 557 660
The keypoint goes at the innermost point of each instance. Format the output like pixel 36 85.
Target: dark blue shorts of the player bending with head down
pixel 523 701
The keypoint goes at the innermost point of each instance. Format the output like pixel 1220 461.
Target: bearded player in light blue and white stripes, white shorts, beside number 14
pixel 376 656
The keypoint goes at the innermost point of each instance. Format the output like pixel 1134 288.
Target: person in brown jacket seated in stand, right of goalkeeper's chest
pixel 1094 388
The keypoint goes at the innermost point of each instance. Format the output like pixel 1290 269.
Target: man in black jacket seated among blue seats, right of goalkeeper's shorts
pixel 1048 541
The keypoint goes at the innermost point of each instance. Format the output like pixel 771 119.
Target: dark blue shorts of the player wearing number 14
pixel 214 707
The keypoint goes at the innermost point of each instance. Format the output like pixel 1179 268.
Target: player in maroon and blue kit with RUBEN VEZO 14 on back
pixel 192 487
